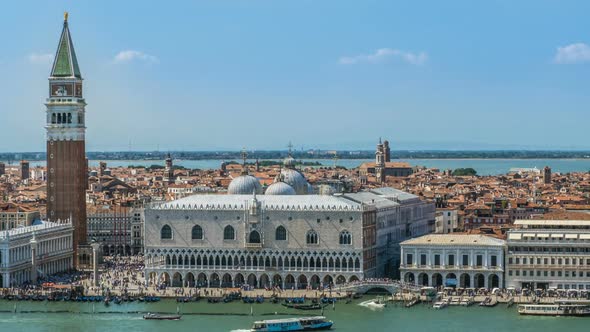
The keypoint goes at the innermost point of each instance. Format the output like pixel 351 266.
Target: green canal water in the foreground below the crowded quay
pixel 205 317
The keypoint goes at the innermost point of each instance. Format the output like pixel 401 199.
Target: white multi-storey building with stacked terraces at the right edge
pixel 549 254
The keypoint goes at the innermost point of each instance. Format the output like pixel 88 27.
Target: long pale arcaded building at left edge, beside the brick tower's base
pixel 45 248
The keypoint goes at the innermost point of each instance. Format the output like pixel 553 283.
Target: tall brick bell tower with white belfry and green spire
pixel 66 147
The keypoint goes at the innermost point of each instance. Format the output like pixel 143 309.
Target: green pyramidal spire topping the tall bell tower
pixel 65 63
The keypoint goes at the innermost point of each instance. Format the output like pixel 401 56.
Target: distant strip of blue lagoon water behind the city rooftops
pixel 482 166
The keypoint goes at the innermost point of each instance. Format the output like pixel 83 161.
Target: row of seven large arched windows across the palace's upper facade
pixel 254 237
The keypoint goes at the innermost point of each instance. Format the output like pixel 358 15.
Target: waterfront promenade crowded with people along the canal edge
pixel 124 277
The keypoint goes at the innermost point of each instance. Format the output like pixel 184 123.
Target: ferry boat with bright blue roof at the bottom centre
pixel 293 324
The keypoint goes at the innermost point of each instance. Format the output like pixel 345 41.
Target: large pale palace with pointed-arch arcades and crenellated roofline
pixel 293 241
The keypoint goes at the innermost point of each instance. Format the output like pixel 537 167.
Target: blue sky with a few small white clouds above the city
pixel 206 75
